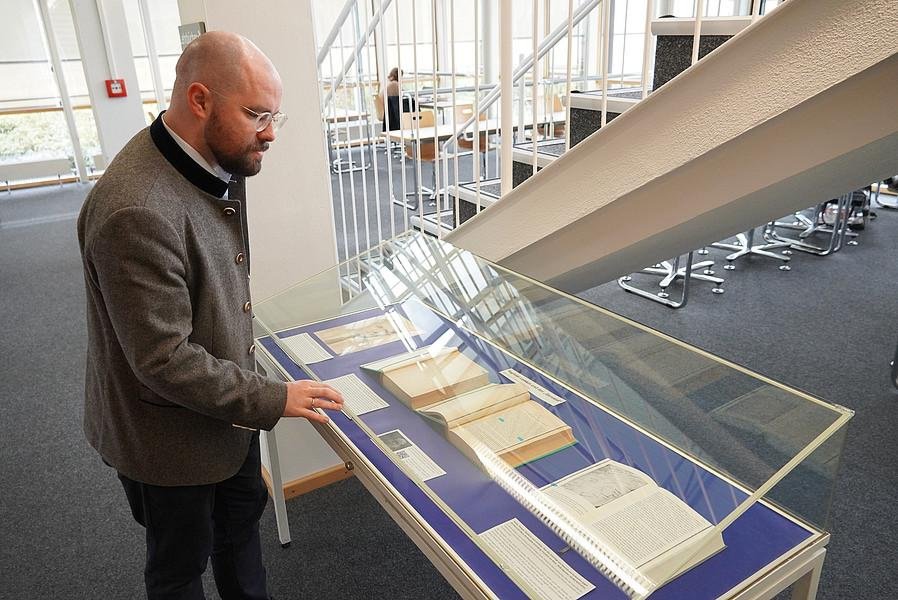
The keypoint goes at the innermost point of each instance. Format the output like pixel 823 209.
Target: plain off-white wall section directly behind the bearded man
pixel 289 202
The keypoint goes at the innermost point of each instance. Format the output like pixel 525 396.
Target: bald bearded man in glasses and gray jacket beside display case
pixel 171 399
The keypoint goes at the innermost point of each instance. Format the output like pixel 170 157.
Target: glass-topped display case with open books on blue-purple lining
pixel 550 448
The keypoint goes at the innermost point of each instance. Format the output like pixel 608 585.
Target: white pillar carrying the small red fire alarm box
pixel 118 119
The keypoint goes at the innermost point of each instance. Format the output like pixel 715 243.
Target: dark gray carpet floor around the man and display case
pixel 829 326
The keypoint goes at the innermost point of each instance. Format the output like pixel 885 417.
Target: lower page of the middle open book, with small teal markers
pixel 511 427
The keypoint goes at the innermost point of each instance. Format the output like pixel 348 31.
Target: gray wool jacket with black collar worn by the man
pixel 170 344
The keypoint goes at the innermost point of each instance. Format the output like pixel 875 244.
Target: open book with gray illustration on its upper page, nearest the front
pixel 648 527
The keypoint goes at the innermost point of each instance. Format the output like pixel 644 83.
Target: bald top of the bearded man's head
pixel 223 61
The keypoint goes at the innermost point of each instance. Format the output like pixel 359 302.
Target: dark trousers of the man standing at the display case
pixel 186 525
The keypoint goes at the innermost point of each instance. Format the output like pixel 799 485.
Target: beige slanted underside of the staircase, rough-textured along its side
pixel 797 107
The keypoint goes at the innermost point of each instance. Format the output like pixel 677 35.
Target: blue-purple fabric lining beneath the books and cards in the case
pixel 754 540
